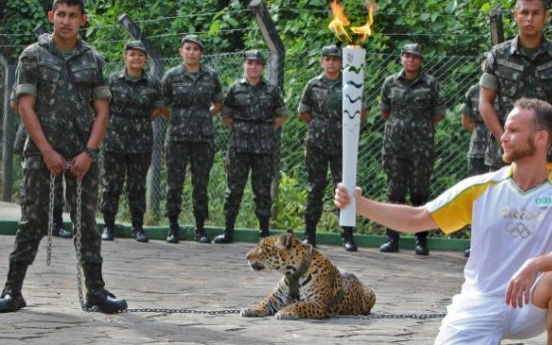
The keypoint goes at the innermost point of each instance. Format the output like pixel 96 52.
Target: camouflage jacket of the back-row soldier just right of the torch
pixel 409 130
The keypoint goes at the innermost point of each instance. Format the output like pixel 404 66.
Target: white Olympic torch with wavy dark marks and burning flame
pixel 353 82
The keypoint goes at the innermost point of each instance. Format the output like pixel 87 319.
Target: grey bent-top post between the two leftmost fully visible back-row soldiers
pixel 153 196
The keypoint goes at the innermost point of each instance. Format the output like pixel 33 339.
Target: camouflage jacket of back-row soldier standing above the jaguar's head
pixel 253 109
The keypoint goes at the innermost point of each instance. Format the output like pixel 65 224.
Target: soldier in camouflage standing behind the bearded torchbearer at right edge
pixel 521 67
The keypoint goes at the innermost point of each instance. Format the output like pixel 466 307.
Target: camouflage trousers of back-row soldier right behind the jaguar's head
pixel 237 167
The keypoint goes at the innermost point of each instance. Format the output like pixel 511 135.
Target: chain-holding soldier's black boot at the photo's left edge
pixel 12 299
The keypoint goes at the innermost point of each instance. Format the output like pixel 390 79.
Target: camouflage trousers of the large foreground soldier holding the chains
pixel 35 206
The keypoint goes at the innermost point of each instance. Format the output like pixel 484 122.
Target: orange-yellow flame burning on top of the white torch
pixel 340 21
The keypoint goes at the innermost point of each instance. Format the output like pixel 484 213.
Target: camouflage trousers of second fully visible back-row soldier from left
pixel 201 156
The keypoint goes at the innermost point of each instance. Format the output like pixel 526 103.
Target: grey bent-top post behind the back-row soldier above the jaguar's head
pixel 276 76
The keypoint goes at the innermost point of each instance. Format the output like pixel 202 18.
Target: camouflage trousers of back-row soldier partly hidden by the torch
pixel 317 162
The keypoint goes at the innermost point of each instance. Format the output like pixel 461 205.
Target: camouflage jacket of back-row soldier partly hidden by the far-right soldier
pixel 480 135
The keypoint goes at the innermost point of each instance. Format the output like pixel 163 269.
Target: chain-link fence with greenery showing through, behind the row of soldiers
pixel 456 74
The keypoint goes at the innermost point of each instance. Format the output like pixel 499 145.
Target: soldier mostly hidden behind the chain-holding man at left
pixel 18 146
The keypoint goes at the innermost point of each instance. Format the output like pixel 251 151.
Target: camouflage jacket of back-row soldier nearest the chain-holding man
pixel 132 102
